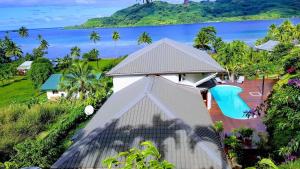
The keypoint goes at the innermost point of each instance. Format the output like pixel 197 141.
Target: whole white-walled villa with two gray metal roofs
pixel 158 96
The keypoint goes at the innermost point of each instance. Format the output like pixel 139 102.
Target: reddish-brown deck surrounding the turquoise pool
pixel 252 101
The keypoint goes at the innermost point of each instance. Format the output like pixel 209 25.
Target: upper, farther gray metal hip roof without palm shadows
pixel 165 57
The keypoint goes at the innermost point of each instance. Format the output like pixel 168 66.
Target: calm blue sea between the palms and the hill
pixel 62 40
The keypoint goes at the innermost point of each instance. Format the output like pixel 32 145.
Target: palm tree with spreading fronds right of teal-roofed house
pixel 79 80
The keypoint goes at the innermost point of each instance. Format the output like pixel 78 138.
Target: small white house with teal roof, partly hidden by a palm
pixel 52 87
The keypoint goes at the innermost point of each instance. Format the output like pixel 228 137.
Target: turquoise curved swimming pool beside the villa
pixel 229 101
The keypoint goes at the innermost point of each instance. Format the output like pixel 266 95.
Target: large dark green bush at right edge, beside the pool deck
pixel 282 116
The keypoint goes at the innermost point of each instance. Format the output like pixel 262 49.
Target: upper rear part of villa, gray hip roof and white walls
pixel 174 61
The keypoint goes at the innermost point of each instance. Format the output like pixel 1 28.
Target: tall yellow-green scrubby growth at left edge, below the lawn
pixel 18 122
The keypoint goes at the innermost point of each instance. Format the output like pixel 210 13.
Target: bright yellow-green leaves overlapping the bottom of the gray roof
pixel 147 158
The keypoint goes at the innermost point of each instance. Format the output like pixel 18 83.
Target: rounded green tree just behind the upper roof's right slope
pixel 234 57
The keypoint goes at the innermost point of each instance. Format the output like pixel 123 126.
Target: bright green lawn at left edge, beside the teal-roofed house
pixel 17 92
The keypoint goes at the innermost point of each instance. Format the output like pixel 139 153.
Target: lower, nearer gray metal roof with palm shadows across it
pixel 173 116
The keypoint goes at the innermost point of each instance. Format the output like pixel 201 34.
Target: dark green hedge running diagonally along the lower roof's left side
pixel 43 153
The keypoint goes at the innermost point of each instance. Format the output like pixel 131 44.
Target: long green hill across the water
pixel 160 13
